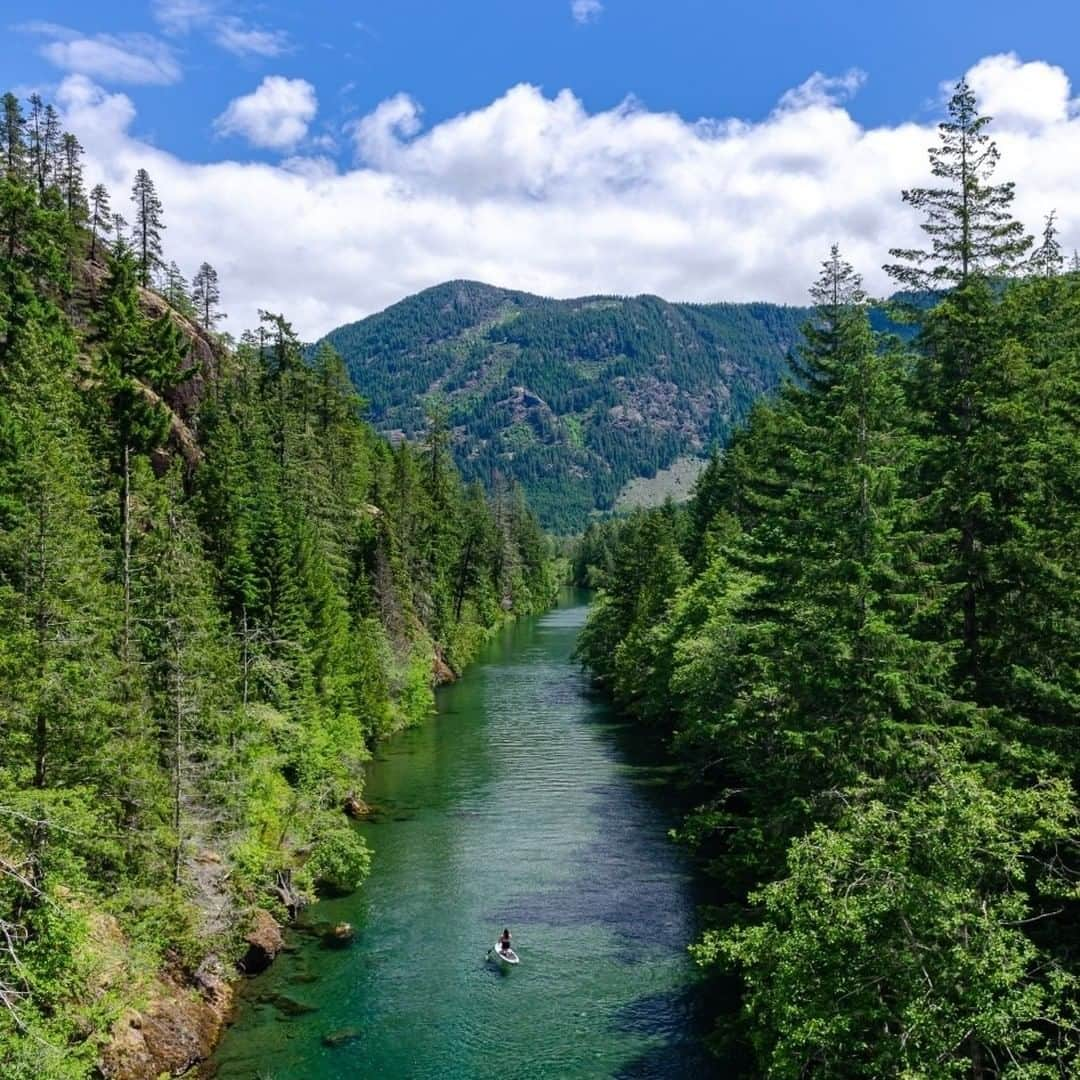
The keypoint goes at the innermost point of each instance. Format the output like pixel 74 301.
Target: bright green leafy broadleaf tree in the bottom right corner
pixel 898 943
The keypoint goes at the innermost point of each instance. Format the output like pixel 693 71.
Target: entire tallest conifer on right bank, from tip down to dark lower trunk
pixel 975 240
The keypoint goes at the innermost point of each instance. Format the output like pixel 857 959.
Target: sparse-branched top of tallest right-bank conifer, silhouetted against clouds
pixel 968 219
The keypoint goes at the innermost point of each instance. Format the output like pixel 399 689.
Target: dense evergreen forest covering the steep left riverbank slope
pixel 219 587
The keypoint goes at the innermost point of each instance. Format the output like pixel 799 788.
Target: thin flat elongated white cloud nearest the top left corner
pixel 111 58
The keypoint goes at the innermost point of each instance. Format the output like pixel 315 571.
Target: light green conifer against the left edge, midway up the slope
pixel 57 623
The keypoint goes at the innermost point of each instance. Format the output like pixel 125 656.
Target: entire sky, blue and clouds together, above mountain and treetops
pixel 332 159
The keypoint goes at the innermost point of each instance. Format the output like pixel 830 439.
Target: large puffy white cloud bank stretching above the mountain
pixel 537 193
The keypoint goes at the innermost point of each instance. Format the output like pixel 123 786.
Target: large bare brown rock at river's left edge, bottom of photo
pixel 178 1030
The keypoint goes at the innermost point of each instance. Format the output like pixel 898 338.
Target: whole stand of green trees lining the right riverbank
pixel 863 632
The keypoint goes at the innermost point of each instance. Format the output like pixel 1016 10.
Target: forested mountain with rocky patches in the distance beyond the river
pixel 574 399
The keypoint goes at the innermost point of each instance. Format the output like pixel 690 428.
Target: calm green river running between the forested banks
pixel 525 804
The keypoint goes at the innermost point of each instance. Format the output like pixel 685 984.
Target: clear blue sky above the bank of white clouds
pixel 696 58
